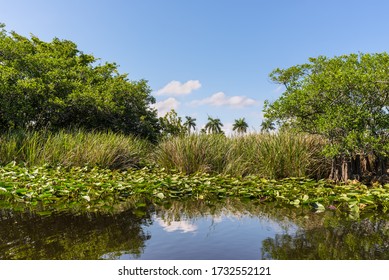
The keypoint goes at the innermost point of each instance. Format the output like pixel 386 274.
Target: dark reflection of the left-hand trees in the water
pixel 70 236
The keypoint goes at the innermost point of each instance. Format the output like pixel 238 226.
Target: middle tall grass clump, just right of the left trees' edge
pixel 193 153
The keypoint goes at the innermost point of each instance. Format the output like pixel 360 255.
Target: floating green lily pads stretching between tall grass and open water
pixel 95 189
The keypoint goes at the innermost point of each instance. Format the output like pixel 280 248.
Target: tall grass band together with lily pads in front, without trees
pixel 94 171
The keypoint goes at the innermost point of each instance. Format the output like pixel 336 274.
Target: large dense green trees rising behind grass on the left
pixel 53 85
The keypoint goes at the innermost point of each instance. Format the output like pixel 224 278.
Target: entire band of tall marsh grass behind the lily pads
pixel 279 155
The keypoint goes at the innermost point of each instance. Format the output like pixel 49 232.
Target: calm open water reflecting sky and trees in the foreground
pixel 229 229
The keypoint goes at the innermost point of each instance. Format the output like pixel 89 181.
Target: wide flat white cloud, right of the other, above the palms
pixel 220 99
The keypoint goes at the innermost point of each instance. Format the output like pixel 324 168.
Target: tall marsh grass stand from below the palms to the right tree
pixel 267 155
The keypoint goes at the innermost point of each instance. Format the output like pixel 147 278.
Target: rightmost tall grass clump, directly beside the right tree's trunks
pixel 279 155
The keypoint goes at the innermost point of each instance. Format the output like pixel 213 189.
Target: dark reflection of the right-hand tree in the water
pixel 365 239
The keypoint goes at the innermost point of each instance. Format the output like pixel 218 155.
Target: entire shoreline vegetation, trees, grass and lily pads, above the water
pixel 50 88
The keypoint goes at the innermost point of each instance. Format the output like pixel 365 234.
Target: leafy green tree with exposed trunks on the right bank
pixel 346 100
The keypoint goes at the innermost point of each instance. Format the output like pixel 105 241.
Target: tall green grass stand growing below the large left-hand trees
pixel 76 148
